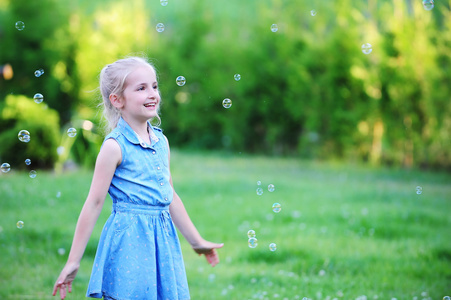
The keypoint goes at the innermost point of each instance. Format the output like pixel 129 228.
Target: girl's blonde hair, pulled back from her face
pixel 112 81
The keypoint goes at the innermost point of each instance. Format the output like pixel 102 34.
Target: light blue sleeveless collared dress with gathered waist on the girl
pixel 139 255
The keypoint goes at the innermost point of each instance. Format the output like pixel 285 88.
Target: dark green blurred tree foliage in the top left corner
pixel 45 43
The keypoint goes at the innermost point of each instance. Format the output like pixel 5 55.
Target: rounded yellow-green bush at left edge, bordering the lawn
pixel 20 113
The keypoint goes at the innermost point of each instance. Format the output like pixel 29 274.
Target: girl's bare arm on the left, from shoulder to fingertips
pixel 107 160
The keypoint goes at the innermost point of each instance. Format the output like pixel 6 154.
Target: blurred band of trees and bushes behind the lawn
pixel 306 90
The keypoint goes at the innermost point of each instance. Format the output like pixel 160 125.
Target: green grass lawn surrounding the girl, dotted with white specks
pixel 344 230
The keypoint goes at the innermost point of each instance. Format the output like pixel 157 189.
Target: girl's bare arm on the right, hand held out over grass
pixel 188 230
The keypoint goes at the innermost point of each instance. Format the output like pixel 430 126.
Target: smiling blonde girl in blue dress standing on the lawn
pixel 139 255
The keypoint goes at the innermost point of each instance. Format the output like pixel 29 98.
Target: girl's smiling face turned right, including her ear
pixel 141 97
